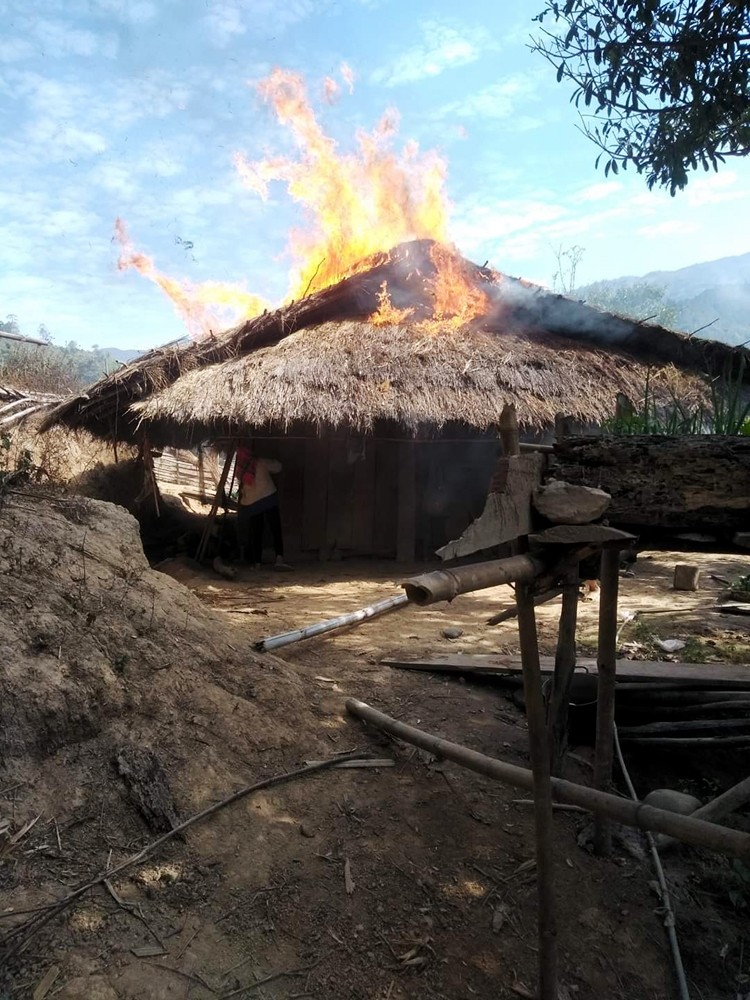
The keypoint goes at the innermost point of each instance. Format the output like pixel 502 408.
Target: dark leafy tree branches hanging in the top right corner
pixel 662 86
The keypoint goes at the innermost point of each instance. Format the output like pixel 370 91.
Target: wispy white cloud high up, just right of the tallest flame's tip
pixel 443 47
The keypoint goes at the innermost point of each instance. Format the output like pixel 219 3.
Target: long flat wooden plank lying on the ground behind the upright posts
pixel 736 675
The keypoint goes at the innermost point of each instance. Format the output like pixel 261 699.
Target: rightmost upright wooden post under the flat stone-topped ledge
pixel 606 665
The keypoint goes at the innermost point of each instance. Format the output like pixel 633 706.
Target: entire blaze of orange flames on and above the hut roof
pixel 357 204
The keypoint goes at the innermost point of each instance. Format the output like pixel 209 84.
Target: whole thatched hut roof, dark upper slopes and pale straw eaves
pixel 321 360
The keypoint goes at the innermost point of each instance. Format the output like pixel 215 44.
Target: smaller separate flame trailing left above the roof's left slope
pixel 204 308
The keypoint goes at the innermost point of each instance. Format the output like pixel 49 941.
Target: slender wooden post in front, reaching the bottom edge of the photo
pixel 539 752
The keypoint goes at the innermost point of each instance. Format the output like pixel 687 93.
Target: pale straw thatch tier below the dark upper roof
pixel 353 374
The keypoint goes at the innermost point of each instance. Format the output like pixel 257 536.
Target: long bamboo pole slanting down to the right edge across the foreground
pixel 692 831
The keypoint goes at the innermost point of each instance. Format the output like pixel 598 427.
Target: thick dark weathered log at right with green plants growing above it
pixel 699 483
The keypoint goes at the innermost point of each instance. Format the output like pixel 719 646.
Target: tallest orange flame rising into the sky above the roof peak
pixel 357 204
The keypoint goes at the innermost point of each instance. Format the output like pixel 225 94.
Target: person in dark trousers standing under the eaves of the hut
pixel 258 506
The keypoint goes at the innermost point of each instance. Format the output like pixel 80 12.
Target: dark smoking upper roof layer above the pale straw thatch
pixel 407 271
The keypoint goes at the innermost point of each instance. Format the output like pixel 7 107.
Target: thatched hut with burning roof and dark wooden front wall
pixel 381 394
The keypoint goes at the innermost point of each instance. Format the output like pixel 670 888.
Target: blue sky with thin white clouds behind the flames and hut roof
pixel 136 108
